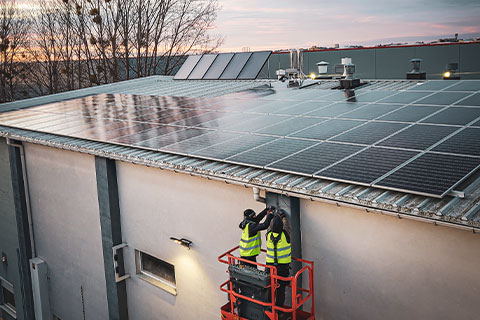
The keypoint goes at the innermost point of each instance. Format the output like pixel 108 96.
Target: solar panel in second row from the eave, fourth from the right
pixel 327 129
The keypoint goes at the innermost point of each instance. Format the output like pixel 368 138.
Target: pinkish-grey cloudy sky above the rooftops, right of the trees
pixel 283 24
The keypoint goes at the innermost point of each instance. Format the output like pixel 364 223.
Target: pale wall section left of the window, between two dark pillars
pixel 67 230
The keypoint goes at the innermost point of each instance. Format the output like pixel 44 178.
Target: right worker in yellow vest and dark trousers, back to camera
pixel 279 252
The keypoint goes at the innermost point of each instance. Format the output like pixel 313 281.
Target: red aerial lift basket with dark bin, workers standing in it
pixel 251 291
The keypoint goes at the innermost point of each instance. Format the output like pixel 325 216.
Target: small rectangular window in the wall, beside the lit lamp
pixel 155 271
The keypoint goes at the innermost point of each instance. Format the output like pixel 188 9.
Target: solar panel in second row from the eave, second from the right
pixel 418 137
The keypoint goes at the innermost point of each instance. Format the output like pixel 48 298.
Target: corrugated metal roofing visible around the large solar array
pixel 461 209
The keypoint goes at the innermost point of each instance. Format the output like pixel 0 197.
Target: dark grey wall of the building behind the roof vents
pixel 392 62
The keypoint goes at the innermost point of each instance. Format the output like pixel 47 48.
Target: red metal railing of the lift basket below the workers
pixel 299 295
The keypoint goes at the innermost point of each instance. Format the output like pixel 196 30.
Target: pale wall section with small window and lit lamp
pixel 156 205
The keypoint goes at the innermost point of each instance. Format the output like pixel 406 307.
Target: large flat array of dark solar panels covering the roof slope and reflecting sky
pixel 407 140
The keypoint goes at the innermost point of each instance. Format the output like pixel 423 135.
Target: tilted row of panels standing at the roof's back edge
pixel 223 66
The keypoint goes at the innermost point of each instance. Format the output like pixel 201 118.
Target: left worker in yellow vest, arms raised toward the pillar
pixel 251 242
